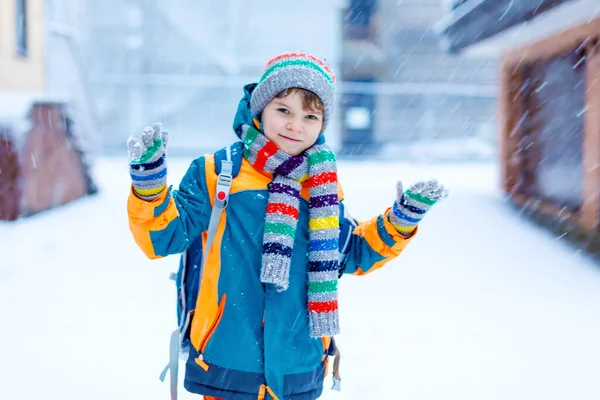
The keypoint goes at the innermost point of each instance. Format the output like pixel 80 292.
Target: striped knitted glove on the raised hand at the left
pixel 147 165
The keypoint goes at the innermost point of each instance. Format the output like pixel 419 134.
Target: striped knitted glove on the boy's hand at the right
pixel 410 206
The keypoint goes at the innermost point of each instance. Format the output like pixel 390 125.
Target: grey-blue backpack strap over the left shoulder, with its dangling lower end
pixel 224 167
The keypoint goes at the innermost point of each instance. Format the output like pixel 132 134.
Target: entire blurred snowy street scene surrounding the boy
pixel 499 99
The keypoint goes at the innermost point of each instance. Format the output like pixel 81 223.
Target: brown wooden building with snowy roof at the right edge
pixel 549 104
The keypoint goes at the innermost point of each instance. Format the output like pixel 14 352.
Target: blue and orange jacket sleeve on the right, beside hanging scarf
pixel 367 246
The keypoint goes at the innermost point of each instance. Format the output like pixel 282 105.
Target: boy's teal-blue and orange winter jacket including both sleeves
pixel 250 341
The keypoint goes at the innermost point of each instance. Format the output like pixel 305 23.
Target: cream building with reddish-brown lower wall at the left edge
pixel 41 162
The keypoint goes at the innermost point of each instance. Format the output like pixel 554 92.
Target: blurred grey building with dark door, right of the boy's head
pixel 404 94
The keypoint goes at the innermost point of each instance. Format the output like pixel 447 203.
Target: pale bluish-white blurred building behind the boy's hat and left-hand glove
pixel 184 63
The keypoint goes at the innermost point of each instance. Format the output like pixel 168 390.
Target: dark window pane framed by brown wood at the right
pixel 554 130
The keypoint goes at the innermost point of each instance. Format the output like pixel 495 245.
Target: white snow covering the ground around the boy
pixel 482 305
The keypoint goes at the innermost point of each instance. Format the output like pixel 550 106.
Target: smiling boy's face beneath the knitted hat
pixel 291 127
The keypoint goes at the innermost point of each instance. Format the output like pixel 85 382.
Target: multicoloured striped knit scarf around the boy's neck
pixel 318 166
